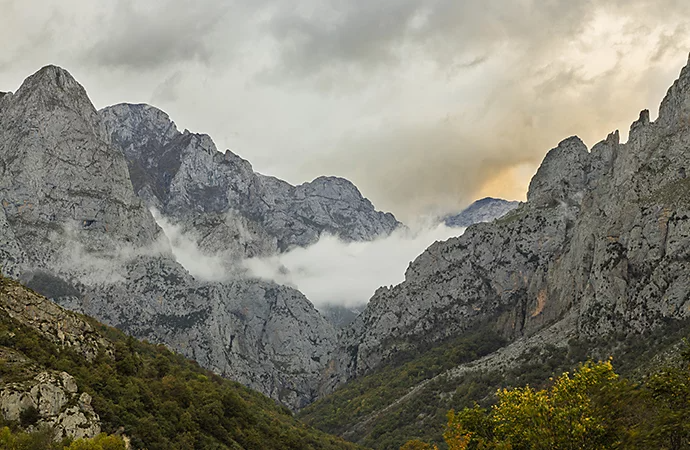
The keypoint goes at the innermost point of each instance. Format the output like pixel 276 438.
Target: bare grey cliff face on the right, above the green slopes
pixel 602 244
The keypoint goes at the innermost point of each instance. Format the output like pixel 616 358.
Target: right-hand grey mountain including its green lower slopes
pixel 595 263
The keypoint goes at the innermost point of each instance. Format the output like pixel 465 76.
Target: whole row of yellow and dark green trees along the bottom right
pixel 594 408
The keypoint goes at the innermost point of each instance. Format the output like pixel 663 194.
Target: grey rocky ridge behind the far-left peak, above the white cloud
pixel 219 200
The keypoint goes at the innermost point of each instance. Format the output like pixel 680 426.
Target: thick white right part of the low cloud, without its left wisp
pixel 333 272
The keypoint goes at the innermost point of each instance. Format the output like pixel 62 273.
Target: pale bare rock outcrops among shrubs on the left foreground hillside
pixel 26 385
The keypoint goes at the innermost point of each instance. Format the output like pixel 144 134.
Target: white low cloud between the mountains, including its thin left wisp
pixel 329 272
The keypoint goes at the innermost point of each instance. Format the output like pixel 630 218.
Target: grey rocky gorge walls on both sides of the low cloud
pixel 600 249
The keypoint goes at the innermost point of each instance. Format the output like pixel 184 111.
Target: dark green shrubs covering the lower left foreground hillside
pixel 160 399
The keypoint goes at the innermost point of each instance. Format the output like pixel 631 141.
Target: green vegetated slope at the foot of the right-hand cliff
pixel 365 410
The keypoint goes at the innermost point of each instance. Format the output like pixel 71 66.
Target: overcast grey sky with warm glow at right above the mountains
pixel 426 105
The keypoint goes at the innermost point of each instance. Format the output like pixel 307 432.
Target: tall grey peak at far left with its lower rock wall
pixel 72 228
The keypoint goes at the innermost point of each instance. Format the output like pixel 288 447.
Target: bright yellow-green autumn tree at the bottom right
pixel 569 415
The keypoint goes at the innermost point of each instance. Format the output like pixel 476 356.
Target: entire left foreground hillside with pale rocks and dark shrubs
pixel 71 373
